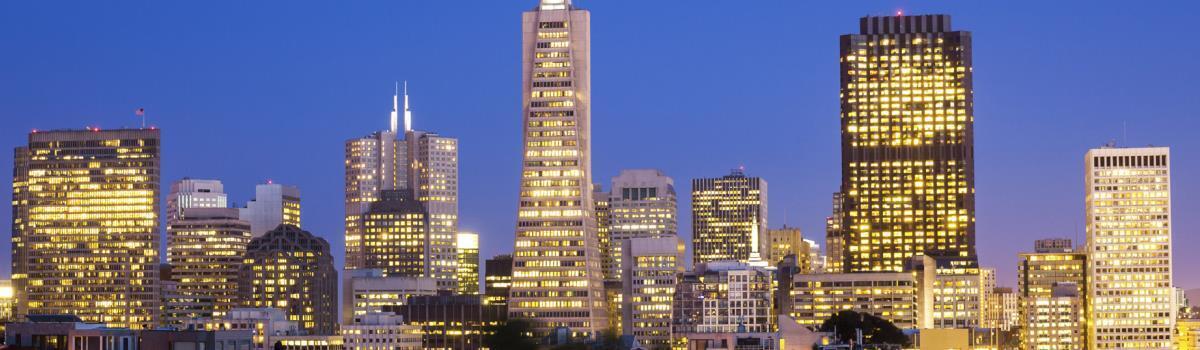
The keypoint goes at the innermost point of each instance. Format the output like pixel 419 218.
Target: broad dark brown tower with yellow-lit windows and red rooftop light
pixel 908 146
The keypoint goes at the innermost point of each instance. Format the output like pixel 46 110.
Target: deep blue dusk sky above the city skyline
pixel 254 90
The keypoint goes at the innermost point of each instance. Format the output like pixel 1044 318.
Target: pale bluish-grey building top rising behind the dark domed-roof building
pixel 273 206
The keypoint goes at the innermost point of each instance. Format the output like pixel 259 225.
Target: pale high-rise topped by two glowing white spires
pixel 425 165
